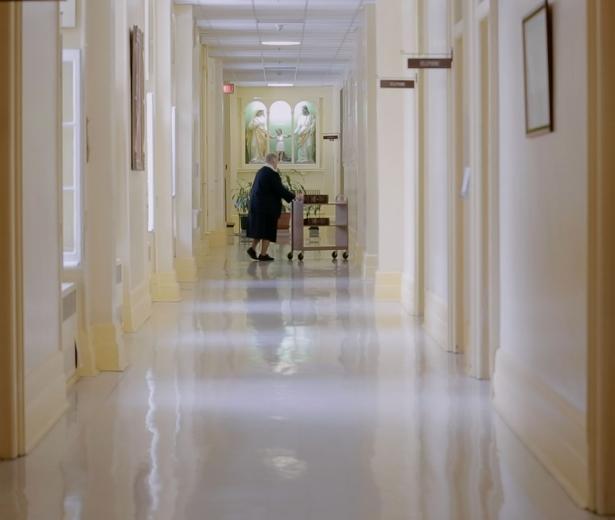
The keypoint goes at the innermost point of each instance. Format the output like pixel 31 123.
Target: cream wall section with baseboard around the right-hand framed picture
pixel 542 362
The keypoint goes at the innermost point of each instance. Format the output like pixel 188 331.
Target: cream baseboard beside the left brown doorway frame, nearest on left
pixel 46 399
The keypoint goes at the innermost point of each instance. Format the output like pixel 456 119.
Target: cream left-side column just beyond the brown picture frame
pixel 164 280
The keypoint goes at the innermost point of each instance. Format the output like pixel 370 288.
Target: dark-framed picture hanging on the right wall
pixel 537 71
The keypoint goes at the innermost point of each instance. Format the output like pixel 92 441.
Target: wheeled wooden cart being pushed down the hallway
pixel 298 226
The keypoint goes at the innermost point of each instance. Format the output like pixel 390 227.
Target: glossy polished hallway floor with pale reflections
pixel 281 392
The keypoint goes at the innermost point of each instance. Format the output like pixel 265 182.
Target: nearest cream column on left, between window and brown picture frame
pixel 100 193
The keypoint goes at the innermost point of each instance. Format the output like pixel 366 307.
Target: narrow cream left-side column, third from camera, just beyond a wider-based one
pixel 185 263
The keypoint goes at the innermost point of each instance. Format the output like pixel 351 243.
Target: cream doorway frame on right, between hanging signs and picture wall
pixel 483 228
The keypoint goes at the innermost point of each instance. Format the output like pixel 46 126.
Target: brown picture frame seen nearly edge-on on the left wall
pixel 137 99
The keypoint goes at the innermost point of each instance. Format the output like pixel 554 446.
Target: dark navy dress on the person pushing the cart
pixel 266 204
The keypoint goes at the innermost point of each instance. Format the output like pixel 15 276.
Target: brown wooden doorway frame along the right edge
pixel 601 283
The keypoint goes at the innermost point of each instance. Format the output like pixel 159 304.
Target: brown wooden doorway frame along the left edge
pixel 12 391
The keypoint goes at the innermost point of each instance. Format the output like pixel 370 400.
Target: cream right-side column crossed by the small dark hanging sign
pixel 397 165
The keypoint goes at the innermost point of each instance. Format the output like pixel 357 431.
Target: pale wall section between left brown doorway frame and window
pixel 42 239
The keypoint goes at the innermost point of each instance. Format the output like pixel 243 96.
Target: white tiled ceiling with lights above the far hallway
pixel 234 30
